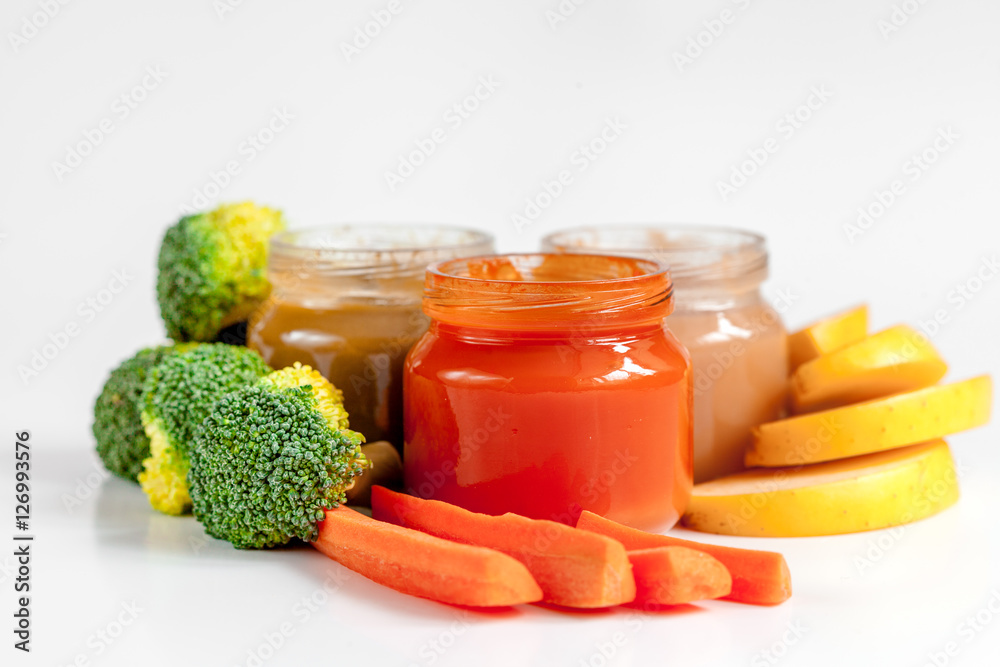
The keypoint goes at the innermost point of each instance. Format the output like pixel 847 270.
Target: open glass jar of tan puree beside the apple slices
pixel 737 342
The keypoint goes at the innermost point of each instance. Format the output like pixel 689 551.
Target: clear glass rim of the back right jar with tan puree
pixel 696 254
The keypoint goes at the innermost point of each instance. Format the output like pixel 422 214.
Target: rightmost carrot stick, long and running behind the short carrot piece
pixel 759 577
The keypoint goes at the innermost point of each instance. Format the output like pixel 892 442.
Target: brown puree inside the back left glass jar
pixel 360 348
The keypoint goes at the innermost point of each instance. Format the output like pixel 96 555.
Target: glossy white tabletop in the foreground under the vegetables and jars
pixel 879 598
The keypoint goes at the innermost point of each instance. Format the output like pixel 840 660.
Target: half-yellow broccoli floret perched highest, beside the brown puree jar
pixel 213 269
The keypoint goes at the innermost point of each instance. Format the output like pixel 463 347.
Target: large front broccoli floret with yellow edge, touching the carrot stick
pixel 272 458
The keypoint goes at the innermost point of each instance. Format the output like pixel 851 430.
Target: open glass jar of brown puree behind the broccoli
pixel 347 301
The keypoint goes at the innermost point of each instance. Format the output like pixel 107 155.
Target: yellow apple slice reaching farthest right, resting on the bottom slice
pixel 885 423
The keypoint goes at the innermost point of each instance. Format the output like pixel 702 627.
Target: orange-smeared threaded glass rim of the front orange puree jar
pixel 564 290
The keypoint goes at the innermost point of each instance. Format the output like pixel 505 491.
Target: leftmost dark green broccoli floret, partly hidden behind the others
pixel 122 442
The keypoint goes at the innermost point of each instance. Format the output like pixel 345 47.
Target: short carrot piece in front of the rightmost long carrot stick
pixel 677 575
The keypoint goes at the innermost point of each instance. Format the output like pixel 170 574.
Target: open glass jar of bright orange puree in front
pixel 546 385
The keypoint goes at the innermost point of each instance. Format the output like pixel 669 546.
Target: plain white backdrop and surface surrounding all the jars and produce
pixel 63 237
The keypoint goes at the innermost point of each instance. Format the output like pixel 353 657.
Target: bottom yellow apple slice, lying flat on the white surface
pixel 847 496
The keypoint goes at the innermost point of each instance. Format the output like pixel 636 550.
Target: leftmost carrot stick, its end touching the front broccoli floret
pixel 418 564
